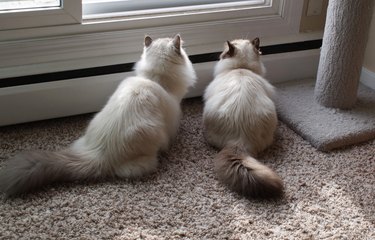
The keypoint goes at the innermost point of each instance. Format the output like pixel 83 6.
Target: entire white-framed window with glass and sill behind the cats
pixel 52 39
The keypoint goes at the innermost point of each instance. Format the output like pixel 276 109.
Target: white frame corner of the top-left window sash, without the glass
pixel 69 13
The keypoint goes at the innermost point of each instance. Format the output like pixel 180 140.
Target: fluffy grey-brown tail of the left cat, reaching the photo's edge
pixel 30 171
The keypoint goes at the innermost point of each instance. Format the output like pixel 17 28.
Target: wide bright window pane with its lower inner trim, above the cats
pixel 164 12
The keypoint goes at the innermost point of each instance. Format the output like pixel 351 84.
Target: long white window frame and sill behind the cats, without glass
pixel 99 42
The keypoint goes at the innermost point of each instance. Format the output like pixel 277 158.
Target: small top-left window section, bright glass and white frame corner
pixel 16 14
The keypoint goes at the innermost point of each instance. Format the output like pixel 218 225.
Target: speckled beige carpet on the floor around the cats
pixel 328 195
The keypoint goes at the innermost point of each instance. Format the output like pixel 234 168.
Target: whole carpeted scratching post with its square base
pixel 336 110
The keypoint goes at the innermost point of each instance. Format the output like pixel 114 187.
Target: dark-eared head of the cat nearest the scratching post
pixel 241 53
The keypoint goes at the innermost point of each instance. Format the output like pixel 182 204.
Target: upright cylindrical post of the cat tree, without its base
pixel 342 53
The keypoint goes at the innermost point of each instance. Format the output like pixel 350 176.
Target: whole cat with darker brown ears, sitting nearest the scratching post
pixel 240 118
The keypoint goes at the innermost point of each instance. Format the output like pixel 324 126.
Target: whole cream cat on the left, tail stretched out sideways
pixel 124 138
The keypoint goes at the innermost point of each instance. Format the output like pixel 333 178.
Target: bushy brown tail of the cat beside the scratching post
pixel 245 175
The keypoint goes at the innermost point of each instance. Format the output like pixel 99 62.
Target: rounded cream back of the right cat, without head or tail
pixel 238 106
